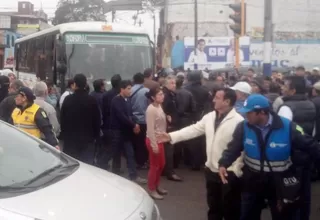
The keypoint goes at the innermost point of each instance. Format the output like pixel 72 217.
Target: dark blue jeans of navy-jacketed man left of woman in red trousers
pixel 122 144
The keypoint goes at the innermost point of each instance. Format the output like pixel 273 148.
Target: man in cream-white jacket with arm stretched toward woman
pixel 224 201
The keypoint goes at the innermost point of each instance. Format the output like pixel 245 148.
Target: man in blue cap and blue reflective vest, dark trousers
pixel 268 142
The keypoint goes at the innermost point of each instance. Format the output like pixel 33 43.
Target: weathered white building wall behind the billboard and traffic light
pixel 296 26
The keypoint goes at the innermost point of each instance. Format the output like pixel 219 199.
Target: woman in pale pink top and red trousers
pixel 156 123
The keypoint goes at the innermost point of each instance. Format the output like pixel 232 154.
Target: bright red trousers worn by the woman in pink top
pixel 157 162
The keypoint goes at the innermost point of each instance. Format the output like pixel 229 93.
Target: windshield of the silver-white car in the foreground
pixel 24 159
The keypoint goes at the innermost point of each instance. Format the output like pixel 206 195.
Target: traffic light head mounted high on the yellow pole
pixel 239 18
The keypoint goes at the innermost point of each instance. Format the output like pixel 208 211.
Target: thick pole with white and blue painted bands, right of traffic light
pixel 267 37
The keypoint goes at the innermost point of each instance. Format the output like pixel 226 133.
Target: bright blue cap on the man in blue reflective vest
pixel 255 102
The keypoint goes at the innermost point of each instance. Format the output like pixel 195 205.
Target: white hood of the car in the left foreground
pixel 88 193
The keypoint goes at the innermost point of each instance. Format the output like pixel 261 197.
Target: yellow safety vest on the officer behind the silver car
pixel 26 120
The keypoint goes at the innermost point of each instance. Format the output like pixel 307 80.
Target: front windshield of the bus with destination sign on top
pixel 101 55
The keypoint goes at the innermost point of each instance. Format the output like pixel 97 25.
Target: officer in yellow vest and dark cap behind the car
pixel 30 118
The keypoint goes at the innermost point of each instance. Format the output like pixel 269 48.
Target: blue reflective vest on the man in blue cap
pixel 278 148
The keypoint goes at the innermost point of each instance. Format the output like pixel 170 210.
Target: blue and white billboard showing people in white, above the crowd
pixel 215 52
